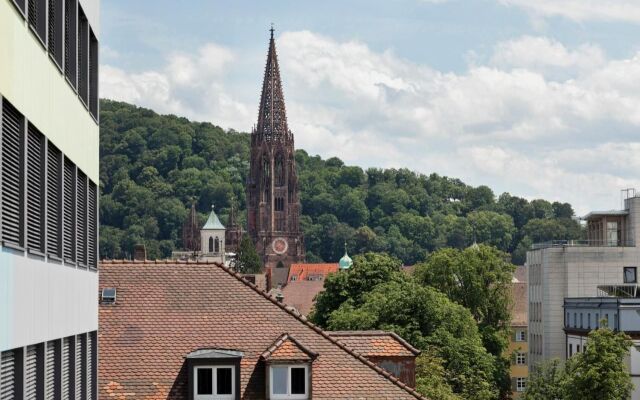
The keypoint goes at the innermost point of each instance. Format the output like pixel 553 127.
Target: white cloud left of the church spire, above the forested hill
pixel 190 85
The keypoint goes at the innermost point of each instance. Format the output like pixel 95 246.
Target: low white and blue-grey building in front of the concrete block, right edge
pixel 619 313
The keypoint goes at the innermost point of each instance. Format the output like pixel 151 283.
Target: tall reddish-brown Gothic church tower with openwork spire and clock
pixel 272 188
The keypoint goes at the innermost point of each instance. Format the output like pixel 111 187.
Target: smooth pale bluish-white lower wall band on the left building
pixel 41 301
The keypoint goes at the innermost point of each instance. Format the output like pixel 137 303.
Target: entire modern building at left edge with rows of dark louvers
pixel 49 142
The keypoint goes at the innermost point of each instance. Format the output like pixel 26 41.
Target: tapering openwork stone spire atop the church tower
pixel 272 116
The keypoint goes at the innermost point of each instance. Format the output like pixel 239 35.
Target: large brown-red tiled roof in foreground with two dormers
pixel 167 309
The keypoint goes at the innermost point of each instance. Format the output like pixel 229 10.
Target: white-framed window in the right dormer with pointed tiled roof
pixel 290 382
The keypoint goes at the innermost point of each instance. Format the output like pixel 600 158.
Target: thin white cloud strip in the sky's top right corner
pixel 582 10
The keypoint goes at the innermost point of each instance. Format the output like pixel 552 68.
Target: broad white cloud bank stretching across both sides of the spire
pixel 561 124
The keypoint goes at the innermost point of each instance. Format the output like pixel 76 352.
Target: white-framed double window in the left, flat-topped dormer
pixel 214 382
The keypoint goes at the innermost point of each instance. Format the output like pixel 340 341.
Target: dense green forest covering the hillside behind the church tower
pixel 153 166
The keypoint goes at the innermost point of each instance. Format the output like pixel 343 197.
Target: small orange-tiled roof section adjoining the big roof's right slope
pixel 376 343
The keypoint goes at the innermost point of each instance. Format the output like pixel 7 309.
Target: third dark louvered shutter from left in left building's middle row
pixel 54 203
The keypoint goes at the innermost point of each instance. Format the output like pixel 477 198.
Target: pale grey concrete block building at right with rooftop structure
pixel 567 269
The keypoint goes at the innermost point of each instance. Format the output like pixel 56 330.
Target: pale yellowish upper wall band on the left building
pixel 39 90
